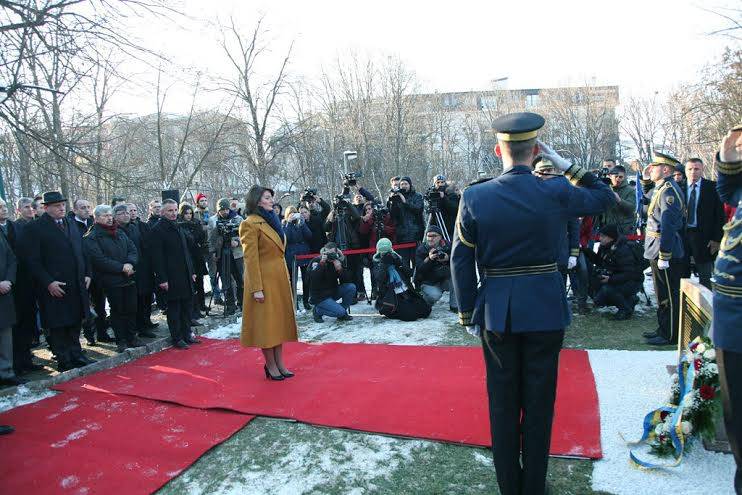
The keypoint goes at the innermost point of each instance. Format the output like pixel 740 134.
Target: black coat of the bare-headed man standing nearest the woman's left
pixel 171 259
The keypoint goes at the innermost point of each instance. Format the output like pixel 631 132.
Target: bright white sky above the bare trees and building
pixel 642 46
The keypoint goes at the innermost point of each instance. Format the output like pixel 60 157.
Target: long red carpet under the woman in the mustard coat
pixel 434 393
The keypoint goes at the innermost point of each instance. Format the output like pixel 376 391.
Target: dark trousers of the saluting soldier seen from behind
pixel 521 384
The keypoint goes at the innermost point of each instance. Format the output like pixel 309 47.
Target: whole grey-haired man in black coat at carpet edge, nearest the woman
pixel 174 273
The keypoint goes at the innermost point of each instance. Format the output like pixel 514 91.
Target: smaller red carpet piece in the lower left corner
pixel 87 443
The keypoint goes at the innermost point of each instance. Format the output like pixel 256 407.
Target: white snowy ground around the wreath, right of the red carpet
pixel 630 384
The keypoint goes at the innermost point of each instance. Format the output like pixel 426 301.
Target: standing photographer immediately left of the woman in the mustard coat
pixel 225 250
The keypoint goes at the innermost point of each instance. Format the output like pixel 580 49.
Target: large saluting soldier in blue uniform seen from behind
pixel 510 229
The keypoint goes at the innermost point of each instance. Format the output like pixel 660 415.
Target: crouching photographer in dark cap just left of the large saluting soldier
pixel 432 270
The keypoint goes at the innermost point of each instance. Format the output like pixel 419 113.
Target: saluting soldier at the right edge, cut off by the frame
pixel 727 320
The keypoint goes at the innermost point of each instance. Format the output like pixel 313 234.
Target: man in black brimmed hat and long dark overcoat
pixel 62 276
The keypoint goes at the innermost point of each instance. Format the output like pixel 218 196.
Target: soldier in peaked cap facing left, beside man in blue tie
pixel 663 245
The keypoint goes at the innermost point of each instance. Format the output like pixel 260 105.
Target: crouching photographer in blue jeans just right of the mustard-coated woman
pixel 329 281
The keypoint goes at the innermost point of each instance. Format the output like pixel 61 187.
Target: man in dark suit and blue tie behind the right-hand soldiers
pixel 704 222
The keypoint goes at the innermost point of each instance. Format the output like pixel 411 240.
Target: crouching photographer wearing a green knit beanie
pixel 397 299
